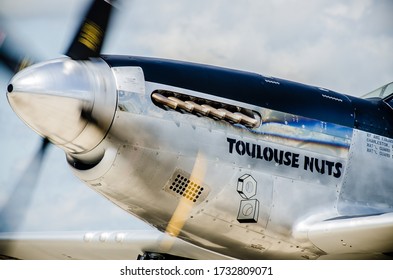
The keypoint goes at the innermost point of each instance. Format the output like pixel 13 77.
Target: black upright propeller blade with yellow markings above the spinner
pixel 89 38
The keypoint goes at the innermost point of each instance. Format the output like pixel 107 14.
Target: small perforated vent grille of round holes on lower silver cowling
pixel 182 186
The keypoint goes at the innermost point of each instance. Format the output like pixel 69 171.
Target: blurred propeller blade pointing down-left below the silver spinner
pixel 14 211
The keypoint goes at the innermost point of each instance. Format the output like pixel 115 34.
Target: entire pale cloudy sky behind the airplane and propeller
pixel 344 46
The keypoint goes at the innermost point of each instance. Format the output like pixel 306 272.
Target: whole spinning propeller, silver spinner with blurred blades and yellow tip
pixel 79 110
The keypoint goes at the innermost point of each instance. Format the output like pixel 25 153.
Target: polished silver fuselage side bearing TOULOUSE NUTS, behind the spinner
pixel 245 192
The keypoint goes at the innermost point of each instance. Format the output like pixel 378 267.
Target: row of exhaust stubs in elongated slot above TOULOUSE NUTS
pixel 203 107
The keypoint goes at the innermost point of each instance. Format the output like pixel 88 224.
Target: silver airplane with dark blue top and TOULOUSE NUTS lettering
pixel 226 163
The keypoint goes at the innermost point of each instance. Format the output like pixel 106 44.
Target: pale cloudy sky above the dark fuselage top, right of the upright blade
pixel 341 46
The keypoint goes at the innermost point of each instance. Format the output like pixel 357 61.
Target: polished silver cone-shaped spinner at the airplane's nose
pixel 72 103
